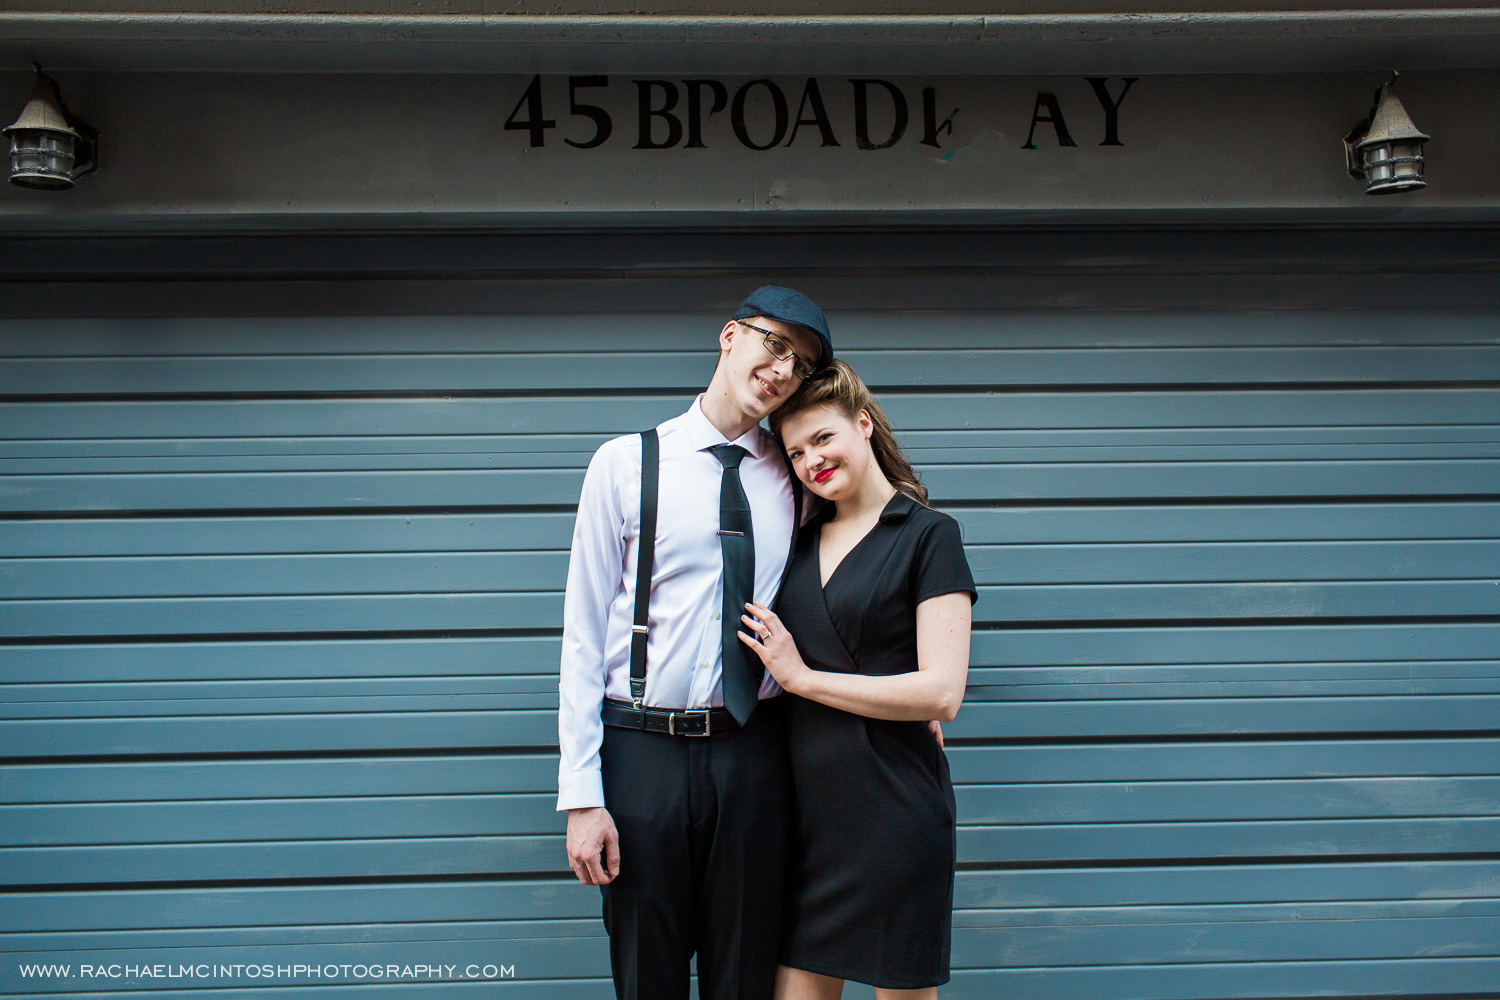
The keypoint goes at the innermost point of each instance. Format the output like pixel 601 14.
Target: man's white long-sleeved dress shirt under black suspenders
pixel 688 582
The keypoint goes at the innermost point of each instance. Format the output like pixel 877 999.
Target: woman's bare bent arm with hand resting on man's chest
pixel 934 690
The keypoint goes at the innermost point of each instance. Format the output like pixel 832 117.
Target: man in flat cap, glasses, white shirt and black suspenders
pixel 676 812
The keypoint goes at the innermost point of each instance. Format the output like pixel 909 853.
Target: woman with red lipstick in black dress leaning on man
pixel 871 639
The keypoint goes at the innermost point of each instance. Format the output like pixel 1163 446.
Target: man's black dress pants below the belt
pixel 703 855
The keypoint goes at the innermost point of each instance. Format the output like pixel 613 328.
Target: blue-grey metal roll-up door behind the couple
pixel 283 567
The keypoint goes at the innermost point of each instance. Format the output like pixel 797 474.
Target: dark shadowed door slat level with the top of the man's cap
pixel 890 290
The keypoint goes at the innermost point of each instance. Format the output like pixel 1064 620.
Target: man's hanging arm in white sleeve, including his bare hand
pixel 595 578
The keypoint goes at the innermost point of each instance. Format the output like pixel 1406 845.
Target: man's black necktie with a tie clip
pixel 743 669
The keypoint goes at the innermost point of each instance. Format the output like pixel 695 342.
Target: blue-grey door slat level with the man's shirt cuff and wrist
pixel 1079 804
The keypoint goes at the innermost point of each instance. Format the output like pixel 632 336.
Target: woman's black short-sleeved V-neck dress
pixel 871 869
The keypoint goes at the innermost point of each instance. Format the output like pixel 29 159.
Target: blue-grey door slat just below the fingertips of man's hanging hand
pixel 287 909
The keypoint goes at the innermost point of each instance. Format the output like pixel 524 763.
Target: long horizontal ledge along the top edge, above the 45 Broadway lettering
pixel 1223 43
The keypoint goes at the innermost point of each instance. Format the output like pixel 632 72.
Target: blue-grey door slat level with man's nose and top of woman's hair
pixel 536 373
